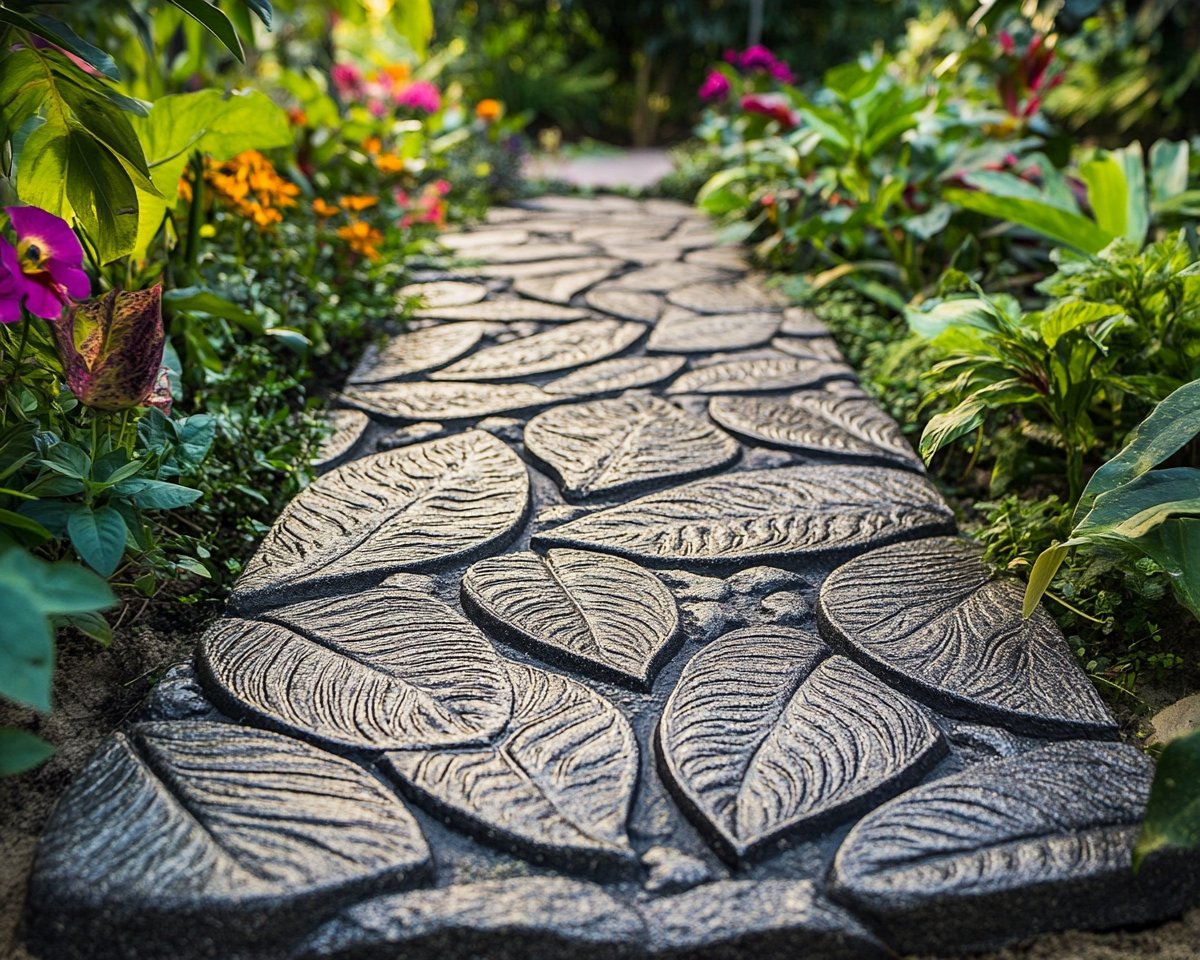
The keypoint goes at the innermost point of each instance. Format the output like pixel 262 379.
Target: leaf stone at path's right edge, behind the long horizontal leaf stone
pixel 817 422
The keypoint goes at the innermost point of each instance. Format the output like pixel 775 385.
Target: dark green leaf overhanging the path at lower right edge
pixel 1173 814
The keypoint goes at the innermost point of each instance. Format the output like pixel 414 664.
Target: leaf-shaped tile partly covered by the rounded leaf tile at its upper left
pixel 556 785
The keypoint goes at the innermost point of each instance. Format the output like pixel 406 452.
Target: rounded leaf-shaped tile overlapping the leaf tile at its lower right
pixel 387 669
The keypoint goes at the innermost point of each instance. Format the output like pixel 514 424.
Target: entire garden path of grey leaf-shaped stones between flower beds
pixel 621 623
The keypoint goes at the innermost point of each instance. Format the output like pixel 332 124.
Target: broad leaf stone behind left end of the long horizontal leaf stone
pixel 610 446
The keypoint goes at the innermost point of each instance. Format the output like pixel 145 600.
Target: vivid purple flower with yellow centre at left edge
pixel 44 272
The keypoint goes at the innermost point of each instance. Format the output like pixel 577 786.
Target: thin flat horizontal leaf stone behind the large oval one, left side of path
pixel 445 401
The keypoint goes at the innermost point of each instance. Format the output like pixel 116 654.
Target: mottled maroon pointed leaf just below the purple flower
pixel 112 349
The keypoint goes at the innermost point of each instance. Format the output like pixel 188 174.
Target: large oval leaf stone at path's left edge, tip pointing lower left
pixel 407 509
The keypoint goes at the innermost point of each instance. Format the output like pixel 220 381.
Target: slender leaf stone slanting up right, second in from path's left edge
pixel 560 349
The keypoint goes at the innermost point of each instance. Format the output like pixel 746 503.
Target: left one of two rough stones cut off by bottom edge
pixel 503 920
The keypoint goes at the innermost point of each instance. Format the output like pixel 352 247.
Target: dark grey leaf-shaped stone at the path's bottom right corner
pixel 1013 848
